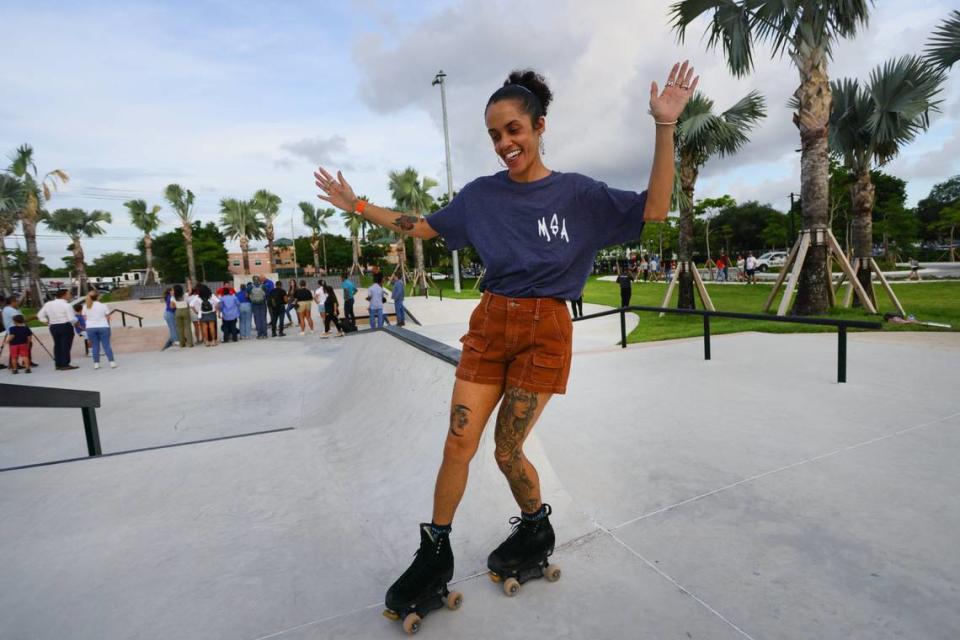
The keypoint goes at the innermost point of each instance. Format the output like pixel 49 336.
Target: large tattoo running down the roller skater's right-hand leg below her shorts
pixel 513 422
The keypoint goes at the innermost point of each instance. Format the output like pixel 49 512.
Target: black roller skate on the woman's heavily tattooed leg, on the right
pixel 523 555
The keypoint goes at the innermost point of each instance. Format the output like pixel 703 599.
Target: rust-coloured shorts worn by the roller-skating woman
pixel 521 342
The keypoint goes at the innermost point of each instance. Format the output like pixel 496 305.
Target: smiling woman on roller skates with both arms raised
pixel 537 232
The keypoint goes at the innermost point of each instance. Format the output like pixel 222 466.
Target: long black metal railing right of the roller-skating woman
pixel 841 325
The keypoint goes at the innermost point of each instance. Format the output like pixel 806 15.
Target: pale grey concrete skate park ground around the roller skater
pixel 750 496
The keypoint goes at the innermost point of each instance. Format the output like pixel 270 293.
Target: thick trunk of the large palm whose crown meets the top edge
pixel 814 97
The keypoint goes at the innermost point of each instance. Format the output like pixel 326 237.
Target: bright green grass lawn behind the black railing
pixel 927 301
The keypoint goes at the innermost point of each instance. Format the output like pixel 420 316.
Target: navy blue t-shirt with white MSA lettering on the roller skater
pixel 538 239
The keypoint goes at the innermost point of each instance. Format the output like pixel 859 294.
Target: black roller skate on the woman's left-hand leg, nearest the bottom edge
pixel 423 586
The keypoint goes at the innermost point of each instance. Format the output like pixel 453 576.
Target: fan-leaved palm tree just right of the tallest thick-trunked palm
pixel 869 126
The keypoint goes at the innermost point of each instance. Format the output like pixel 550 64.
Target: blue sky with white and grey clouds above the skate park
pixel 229 97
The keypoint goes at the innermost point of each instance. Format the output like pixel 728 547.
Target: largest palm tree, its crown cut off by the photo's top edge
pixel 806 31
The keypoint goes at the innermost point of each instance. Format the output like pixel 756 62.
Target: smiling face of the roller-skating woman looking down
pixel 516 140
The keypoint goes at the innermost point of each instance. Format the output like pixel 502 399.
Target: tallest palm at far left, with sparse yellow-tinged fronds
pixel 37 192
